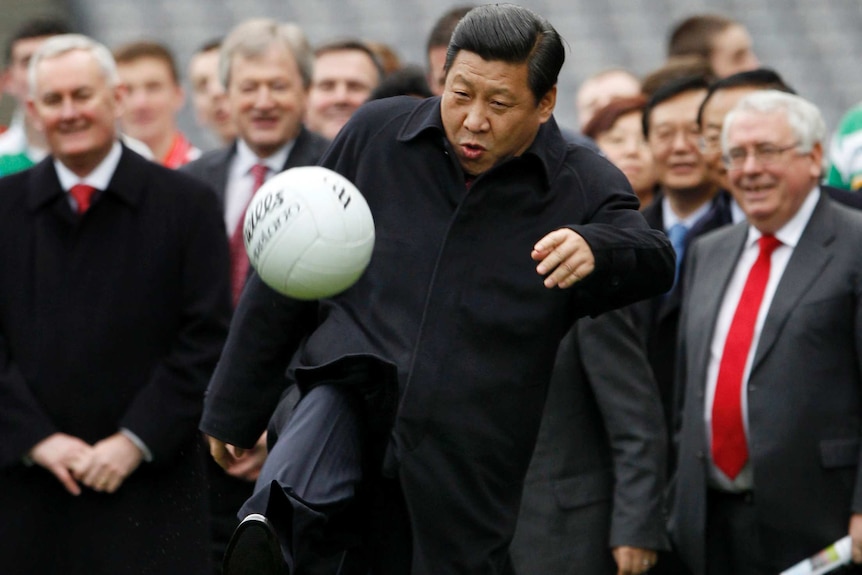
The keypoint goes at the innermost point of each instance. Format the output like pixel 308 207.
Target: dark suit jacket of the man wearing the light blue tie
pixel 657 318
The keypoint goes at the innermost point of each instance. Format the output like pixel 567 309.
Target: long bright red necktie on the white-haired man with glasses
pixel 729 447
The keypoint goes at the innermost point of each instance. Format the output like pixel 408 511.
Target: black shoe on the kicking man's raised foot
pixel 254 549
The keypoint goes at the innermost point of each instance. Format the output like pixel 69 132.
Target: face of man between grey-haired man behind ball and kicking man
pixel 342 81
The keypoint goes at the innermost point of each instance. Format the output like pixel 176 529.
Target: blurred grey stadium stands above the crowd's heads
pixel 815 44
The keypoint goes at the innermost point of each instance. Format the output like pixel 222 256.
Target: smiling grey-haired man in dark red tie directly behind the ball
pixel 266 68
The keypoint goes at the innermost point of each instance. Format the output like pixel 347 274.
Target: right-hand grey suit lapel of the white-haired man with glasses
pixel 809 258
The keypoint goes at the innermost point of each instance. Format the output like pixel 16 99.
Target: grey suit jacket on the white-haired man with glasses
pixel 804 392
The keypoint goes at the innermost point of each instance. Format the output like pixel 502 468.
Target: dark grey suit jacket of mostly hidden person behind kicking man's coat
pixel 596 479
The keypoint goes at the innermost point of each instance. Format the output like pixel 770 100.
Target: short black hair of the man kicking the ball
pixel 513 34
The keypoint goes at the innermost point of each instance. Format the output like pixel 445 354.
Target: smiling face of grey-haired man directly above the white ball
pixel 266 99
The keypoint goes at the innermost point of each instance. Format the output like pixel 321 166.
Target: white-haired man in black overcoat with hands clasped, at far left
pixel 114 304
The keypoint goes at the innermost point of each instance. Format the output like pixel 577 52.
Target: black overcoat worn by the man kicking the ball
pixel 451 299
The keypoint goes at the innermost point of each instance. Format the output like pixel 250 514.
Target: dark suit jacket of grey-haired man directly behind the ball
pixel 213 166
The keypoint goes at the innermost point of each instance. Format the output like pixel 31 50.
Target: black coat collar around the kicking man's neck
pixel 549 147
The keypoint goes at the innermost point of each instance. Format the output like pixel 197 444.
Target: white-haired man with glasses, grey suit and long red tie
pixel 770 362
